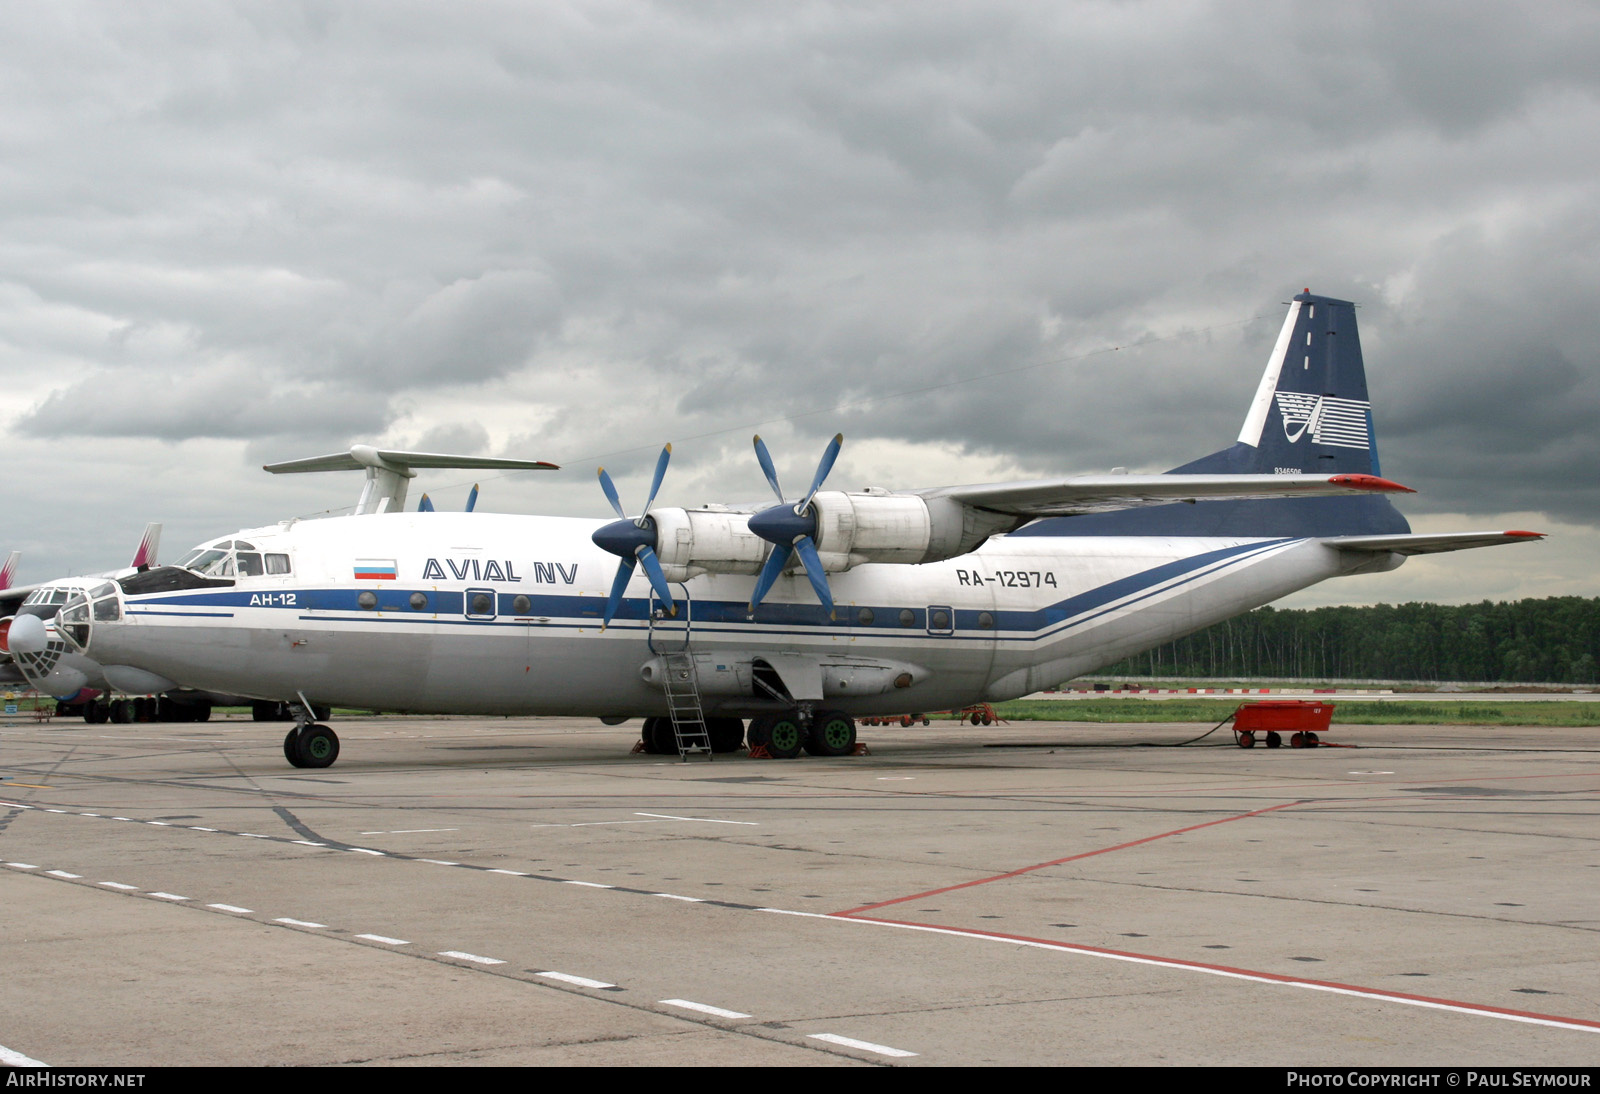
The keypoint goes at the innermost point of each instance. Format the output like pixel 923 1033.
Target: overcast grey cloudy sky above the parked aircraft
pixel 983 241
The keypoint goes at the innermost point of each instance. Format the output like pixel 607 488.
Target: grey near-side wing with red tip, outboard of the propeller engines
pixel 1103 493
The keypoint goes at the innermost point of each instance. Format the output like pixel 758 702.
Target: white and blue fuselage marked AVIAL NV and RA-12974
pixel 482 613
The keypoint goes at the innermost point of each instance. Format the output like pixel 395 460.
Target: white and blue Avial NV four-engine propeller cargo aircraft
pixel 798 617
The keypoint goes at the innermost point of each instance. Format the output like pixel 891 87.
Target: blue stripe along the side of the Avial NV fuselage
pixel 718 617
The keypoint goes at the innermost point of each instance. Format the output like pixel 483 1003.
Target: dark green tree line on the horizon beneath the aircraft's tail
pixel 1554 641
